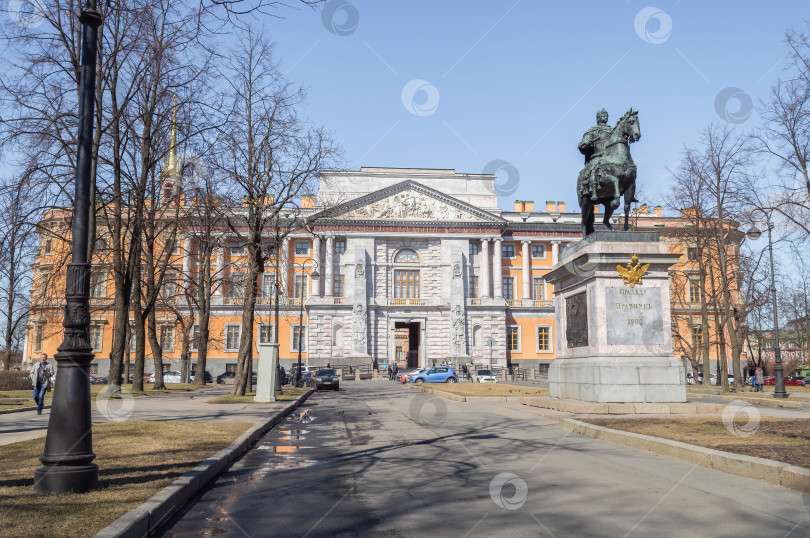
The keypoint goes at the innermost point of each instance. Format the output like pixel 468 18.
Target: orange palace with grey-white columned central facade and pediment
pixel 413 265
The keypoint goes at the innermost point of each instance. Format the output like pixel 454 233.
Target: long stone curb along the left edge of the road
pixel 158 509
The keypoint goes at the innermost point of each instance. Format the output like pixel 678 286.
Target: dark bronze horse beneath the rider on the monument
pixel 614 173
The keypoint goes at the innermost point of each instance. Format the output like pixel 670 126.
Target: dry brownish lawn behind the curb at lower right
pixel 786 440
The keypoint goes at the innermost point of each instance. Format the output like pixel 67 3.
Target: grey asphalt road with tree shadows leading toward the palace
pixel 377 459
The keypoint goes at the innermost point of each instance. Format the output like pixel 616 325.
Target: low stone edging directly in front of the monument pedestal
pixel 596 408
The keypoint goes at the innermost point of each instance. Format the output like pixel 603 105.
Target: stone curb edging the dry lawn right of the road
pixel 775 472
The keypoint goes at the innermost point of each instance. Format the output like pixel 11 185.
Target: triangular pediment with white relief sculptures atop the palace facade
pixel 411 202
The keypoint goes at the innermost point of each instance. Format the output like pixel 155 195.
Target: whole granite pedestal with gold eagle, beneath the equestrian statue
pixel 614 341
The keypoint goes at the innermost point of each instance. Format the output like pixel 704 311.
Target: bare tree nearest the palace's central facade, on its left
pixel 270 155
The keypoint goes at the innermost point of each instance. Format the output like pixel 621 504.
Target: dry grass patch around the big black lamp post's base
pixel 135 459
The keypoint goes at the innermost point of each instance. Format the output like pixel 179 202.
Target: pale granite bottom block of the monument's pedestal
pixel 611 379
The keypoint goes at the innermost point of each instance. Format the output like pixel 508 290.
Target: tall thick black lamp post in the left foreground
pixel 67 463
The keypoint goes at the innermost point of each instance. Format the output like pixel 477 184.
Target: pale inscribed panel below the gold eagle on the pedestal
pixel 634 316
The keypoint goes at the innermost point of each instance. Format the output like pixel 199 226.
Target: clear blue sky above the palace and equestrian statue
pixel 520 81
